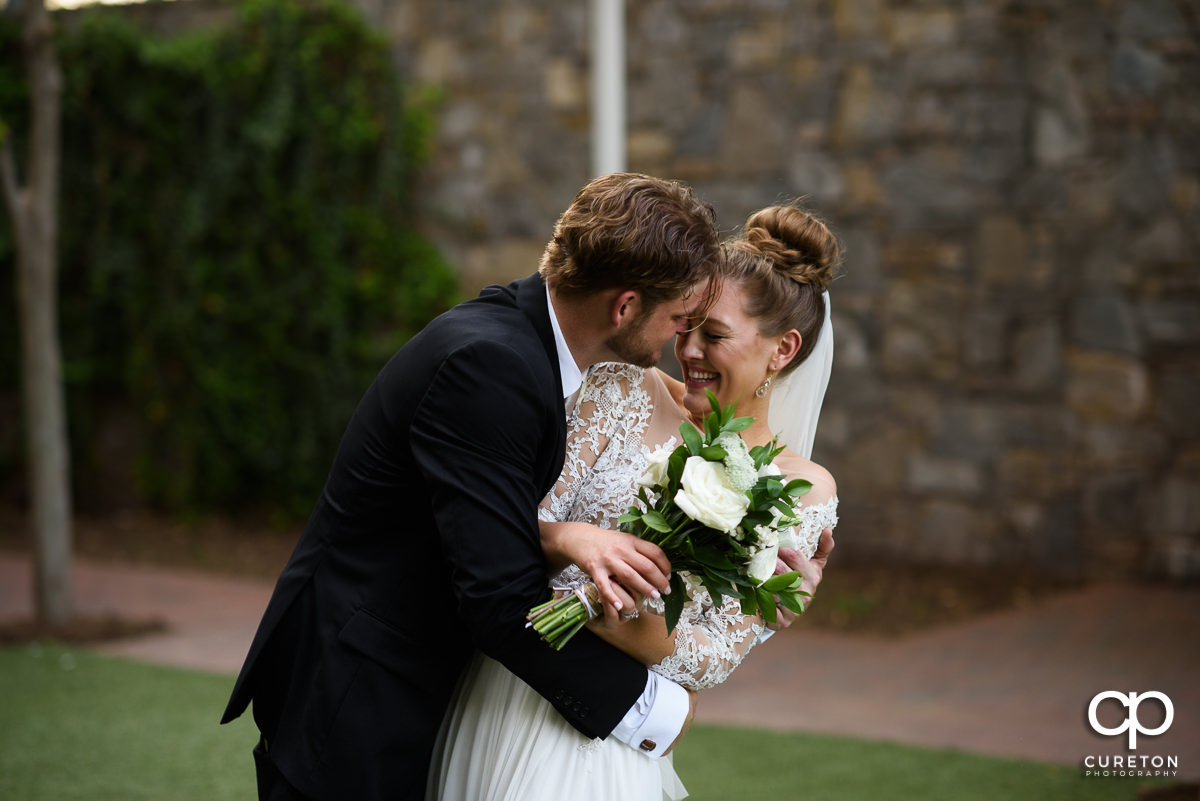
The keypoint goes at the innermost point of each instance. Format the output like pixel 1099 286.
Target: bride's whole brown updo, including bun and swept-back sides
pixel 784 260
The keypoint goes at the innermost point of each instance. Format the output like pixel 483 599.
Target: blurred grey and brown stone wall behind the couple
pixel 1018 192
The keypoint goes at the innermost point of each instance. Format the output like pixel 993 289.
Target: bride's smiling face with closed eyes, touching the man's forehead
pixel 725 354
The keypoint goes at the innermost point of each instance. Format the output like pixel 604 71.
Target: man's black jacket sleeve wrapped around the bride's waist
pixel 477 438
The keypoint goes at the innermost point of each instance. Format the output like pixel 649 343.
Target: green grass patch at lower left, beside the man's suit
pixel 80 727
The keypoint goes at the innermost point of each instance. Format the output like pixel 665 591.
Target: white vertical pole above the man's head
pixel 608 87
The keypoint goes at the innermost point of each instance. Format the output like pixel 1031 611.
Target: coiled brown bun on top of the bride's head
pixel 797 244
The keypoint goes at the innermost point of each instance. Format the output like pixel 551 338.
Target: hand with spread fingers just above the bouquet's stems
pixel 621 565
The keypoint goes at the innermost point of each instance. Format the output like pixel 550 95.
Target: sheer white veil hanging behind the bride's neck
pixel 796 399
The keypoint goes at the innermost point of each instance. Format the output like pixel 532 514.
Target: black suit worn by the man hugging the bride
pixel 424 547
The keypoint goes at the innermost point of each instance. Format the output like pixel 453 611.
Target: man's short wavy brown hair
pixel 634 232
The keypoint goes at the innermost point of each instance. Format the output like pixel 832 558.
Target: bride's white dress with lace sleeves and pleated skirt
pixel 502 742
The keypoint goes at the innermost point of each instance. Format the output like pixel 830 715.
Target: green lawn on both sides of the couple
pixel 77 726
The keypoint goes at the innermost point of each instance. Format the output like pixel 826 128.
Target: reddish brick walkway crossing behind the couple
pixel 1012 685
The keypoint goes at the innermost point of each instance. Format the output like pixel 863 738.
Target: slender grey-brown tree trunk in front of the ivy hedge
pixel 34 209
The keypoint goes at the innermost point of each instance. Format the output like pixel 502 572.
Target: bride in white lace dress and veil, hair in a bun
pixel 767 346
